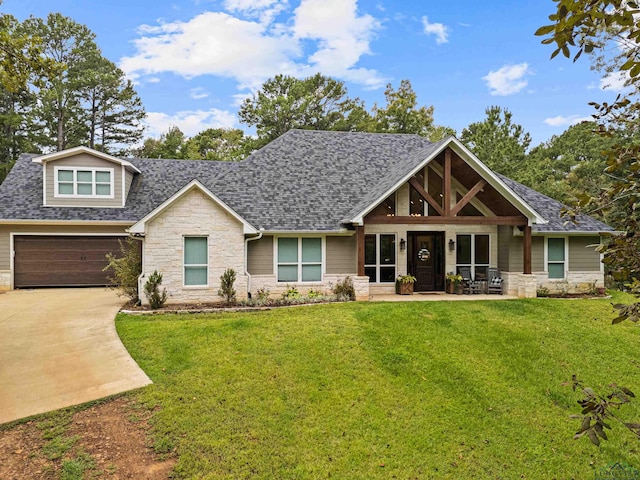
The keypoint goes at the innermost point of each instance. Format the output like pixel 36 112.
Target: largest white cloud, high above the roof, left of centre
pixel 327 36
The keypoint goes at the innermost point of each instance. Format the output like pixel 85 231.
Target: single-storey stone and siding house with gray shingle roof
pixel 307 210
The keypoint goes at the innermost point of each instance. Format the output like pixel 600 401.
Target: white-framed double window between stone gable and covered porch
pixel 299 259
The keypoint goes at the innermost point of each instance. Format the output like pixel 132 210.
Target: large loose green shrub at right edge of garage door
pixel 126 268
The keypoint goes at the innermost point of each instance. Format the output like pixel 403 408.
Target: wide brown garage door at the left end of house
pixel 46 261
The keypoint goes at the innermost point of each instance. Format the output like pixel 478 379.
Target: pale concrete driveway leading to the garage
pixel 59 347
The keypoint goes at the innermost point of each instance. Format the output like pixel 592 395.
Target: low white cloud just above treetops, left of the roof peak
pixel 190 122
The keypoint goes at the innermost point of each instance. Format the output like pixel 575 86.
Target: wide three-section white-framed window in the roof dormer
pixel 81 182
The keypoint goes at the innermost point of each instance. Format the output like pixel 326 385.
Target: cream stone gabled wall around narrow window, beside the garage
pixel 194 214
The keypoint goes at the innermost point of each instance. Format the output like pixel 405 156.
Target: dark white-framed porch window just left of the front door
pixel 380 257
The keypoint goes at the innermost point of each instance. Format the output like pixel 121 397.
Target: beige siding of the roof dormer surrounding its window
pixel 84 160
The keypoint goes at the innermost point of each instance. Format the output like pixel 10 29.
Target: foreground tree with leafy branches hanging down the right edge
pixel 589 26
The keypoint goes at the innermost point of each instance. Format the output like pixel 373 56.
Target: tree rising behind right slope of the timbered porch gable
pixel 499 143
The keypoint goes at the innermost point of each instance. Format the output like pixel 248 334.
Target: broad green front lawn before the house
pixel 373 390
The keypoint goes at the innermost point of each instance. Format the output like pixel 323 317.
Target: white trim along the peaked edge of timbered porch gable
pixel 473 161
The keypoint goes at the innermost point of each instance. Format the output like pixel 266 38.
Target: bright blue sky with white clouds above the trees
pixel 194 61
